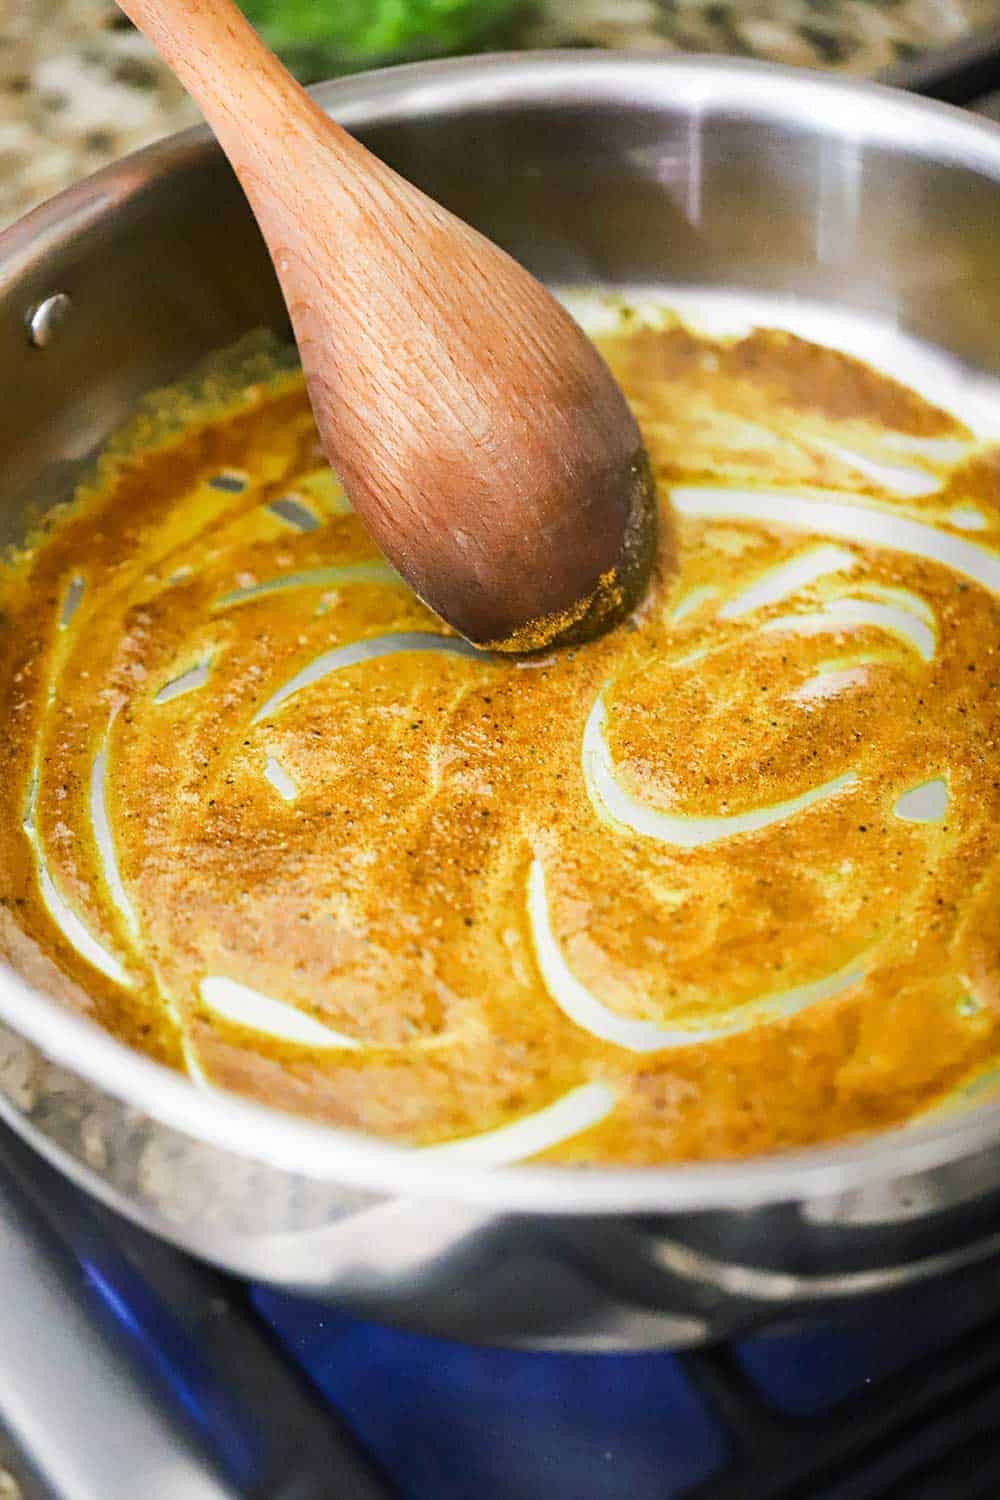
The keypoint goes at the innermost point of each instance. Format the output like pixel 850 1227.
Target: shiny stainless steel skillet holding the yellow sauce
pixel 591 169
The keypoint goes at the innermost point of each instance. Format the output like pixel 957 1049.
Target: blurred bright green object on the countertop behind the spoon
pixel 322 37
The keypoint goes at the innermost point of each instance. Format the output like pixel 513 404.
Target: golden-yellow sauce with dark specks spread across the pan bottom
pixel 719 884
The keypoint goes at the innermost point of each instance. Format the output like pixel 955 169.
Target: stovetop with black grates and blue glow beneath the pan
pixel 128 1370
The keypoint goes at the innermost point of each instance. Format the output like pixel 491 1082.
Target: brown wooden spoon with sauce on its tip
pixel 476 430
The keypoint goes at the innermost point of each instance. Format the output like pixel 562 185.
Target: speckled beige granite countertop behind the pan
pixel 80 88
